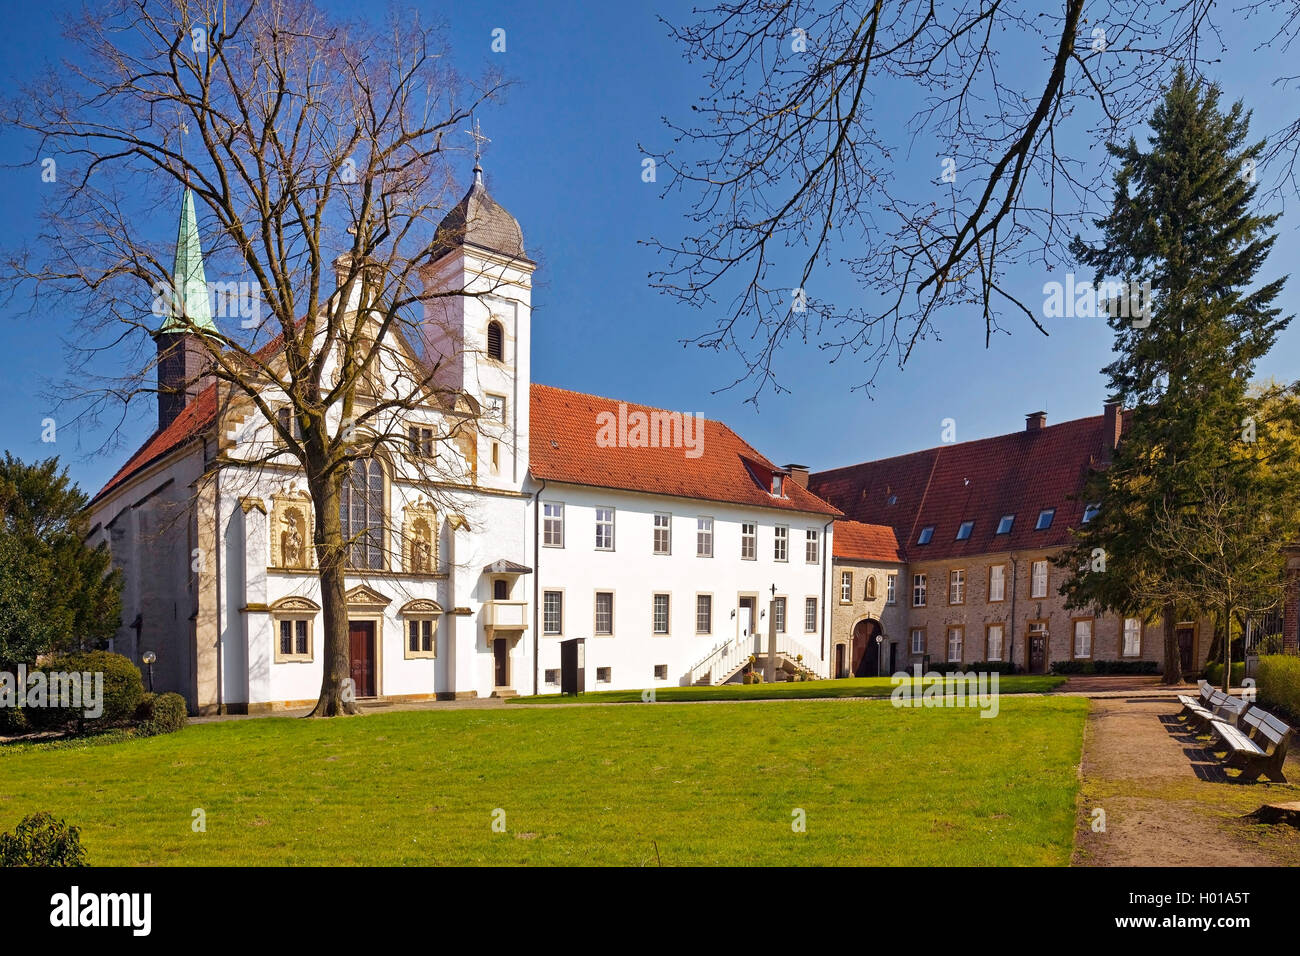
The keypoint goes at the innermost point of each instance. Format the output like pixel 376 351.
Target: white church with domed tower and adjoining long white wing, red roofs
pixel 548 518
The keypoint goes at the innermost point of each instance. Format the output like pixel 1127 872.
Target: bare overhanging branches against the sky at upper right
pixel 792 171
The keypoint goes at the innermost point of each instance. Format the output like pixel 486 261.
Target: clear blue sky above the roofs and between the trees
pixel 592 81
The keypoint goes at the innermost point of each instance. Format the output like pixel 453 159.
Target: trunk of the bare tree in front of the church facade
pixel 339 695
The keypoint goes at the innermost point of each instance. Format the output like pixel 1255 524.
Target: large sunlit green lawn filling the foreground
pixel 709 785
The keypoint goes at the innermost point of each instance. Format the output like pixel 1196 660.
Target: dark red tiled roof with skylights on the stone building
pixel 1019 474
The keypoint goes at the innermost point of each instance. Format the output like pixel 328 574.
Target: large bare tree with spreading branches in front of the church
pixel 313 146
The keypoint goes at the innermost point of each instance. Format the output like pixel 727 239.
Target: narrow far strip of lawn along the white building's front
pixel 792 690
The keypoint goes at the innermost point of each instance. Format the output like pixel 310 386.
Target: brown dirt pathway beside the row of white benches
pixel 1167 801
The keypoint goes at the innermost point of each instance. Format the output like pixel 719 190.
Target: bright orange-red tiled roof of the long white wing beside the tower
pixel 564 448
